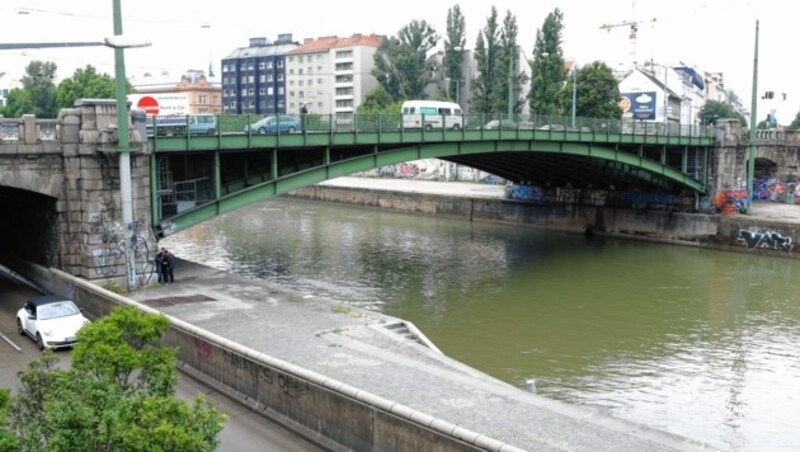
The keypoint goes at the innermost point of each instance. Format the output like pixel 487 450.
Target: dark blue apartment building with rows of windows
pixel 254 77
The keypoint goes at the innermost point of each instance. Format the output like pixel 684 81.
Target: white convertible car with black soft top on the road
pixel 51 320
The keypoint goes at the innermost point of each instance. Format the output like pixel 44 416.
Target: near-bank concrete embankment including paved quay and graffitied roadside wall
pixel 343 378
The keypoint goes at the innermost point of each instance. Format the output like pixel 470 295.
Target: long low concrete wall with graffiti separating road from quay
pixel 334 415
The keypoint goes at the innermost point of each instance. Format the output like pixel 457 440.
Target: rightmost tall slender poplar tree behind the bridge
pixel 547 71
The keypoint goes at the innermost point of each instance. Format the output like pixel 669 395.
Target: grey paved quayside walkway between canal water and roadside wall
pixel 356 348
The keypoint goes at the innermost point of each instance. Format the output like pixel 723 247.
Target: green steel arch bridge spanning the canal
pixel 200 172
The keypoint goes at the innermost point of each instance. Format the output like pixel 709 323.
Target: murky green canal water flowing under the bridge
pixel 696 342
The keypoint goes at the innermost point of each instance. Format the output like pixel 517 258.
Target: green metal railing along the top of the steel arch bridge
pixel 253 124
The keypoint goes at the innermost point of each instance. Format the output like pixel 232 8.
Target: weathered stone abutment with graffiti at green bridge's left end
pixel 59 190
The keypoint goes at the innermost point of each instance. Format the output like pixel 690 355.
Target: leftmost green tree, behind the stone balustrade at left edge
pixel 38 96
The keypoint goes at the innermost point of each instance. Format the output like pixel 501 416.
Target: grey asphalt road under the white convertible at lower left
pixel 245 431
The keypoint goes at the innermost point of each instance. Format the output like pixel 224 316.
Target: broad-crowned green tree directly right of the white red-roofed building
pixel 401 62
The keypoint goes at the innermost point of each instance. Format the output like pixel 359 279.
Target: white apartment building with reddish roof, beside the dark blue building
pixel 331 75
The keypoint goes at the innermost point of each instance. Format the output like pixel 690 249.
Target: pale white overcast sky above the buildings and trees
pixel 713 35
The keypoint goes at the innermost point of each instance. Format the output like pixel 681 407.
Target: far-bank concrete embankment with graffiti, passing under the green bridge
pixel 769 229
